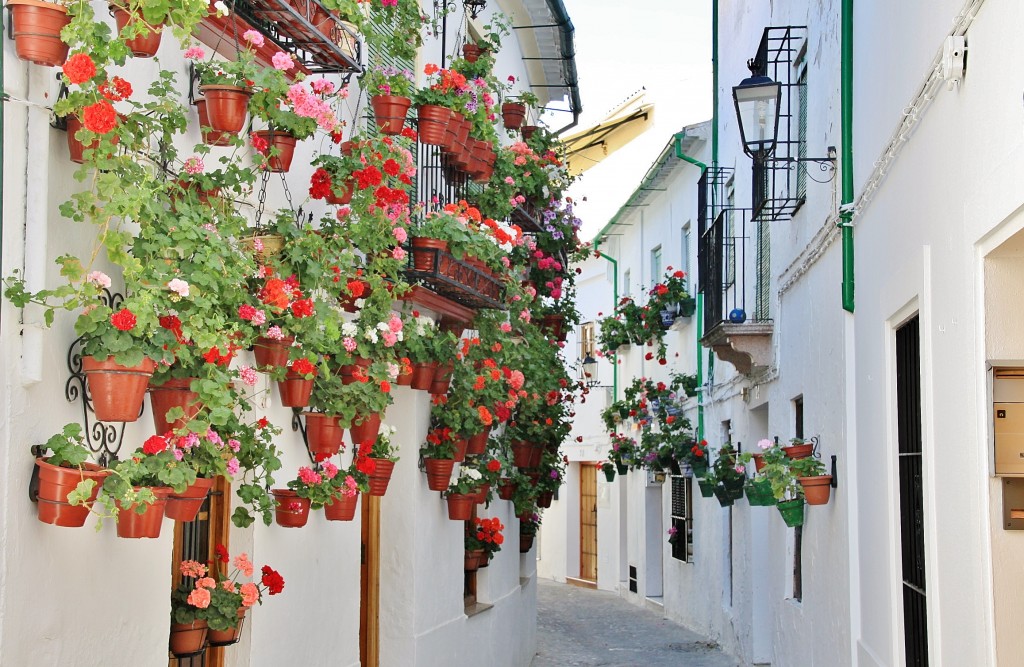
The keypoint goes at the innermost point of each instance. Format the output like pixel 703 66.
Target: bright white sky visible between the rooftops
pixel 661 46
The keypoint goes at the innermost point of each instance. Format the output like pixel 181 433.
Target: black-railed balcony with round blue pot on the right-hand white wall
pixel 732 268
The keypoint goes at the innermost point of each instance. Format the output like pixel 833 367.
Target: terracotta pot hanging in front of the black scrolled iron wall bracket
pixel 117 392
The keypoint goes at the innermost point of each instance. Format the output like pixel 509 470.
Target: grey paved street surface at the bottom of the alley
pixel 578 628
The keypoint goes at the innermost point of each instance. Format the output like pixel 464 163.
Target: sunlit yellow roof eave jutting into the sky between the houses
pixel 589 147
